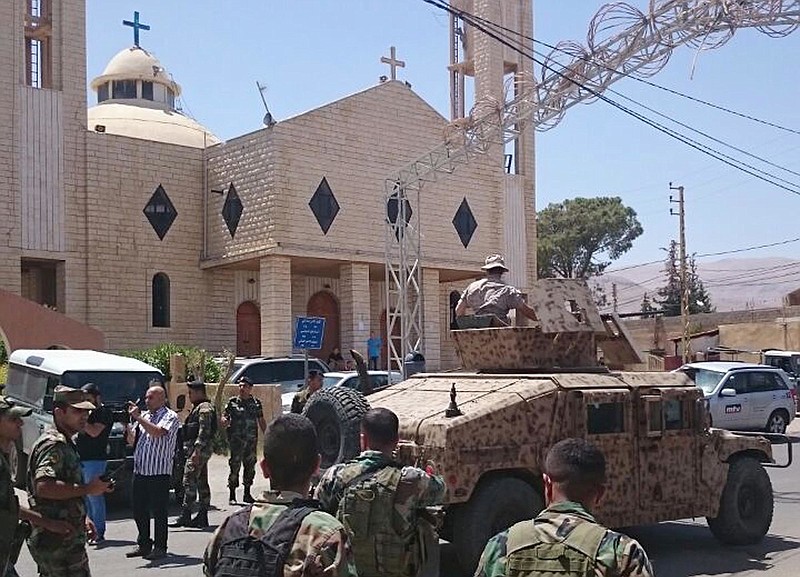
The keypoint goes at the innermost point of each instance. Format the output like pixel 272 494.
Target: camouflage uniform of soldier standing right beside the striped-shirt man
pixel 203 420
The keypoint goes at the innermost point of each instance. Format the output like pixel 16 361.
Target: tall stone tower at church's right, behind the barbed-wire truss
pixel 493 73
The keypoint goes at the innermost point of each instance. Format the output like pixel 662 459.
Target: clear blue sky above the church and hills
pixel 310 52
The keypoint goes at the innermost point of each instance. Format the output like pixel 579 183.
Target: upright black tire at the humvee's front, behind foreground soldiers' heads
pixel 336 413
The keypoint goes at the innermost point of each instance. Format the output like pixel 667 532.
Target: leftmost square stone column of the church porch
pixel 275 294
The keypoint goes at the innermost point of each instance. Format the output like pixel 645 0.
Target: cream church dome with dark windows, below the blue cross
pixel 136 98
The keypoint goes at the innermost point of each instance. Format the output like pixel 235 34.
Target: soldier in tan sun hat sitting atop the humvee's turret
pixel 492 295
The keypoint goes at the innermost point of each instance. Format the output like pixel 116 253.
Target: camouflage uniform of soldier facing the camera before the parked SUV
pixel 244 415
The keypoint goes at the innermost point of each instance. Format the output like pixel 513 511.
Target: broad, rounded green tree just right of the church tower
pixel 579 238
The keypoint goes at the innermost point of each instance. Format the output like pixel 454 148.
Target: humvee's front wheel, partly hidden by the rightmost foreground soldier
pixel 495 506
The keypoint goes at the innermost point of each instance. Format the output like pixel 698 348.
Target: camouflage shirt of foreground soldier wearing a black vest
pixel 321 543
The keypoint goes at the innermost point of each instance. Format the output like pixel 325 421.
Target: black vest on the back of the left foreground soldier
pixel 242 555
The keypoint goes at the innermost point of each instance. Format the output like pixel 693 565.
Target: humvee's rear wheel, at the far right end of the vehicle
pixel 745 511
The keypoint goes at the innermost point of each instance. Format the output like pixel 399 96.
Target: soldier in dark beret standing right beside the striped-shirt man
pixel 199 430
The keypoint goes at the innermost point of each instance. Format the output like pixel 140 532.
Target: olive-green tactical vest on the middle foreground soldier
pixel 366 509
